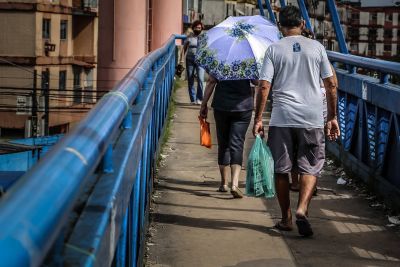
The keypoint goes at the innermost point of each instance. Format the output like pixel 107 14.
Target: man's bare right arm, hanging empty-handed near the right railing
pixel 332 126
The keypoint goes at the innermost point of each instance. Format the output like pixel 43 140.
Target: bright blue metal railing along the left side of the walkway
pixel 120 134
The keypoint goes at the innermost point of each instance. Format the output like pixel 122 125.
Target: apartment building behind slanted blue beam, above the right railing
pixel 371 28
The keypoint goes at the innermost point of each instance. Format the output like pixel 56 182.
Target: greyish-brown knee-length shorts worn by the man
pixel 300 148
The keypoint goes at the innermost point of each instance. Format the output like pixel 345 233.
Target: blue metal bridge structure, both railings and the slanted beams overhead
pixel 86 202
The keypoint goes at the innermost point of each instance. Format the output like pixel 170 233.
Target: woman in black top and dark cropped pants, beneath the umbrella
pixel 233 106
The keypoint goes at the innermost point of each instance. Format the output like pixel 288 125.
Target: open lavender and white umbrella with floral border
pixel 235 48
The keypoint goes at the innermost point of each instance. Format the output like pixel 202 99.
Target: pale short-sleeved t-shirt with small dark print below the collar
pixel 295 64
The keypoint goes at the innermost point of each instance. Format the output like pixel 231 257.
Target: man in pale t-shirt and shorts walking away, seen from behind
pixel 296 130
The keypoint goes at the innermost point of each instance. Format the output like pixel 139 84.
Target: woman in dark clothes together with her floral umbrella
pixel 232 53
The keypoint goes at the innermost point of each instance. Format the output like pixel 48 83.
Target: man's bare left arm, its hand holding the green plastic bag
pixel 261 100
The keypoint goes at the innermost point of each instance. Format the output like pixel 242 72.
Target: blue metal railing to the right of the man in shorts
pixel 369 119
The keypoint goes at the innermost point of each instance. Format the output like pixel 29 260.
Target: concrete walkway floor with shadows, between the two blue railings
pixel 193 225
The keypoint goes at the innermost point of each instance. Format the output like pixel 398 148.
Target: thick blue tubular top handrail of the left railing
pixel 34 211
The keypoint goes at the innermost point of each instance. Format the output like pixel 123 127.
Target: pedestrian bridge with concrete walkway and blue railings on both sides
pixel 87 202
